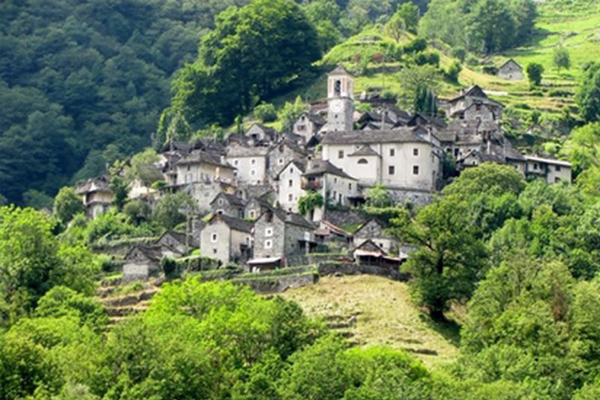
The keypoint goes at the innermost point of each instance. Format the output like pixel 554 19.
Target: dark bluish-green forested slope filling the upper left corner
pixel 83 83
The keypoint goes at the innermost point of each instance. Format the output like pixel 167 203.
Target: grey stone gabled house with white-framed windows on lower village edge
pixel 279 236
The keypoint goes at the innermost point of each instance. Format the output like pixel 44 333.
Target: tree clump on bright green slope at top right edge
pixel 484 26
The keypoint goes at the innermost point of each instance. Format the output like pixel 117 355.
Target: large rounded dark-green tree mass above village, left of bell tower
pixel 253 52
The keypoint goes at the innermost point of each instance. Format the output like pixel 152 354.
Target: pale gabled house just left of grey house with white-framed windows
pixel 227 239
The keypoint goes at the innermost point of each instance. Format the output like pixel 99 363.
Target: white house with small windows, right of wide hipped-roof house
pixel 251 163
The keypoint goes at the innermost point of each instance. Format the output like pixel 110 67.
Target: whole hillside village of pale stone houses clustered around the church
pixel 248 190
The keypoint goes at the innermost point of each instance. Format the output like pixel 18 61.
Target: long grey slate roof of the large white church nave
pixel 399 135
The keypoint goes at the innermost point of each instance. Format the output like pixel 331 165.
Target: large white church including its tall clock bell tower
pixel 405 159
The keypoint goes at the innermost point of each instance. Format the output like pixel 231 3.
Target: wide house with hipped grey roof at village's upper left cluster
pixel 205 167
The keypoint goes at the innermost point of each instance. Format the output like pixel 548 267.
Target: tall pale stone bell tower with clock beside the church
pixel 340 99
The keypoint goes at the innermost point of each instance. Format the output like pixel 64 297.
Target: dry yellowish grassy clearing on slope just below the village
pixel 384 315
